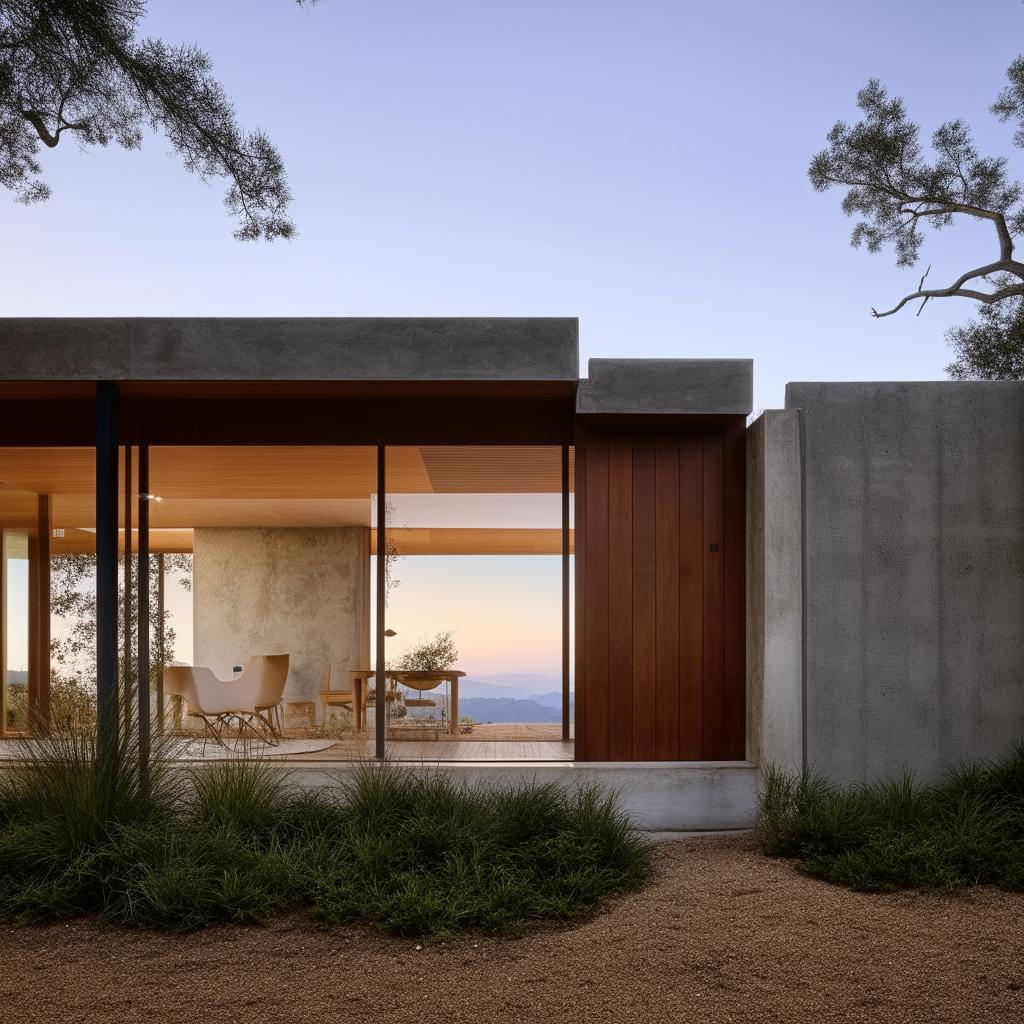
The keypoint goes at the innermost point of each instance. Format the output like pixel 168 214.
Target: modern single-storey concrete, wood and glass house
pixel 837 585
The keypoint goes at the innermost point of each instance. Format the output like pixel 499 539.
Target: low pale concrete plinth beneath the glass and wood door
pixel 661 796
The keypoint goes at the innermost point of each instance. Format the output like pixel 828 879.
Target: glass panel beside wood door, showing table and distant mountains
pixel 476 600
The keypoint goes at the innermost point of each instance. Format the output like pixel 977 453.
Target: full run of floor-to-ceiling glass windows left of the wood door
pixel 272 550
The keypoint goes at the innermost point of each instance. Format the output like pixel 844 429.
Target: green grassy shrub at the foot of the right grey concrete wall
pixel 966 831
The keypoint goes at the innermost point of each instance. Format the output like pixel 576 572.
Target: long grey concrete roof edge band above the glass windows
pixel 499 349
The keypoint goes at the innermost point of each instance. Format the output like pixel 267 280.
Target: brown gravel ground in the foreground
pixel 721 935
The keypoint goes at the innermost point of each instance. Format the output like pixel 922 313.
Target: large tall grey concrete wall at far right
pixel 915 570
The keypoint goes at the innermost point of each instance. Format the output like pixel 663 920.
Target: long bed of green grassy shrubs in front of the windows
pixel 407 854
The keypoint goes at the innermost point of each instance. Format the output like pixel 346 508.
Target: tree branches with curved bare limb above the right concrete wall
pixel 897 189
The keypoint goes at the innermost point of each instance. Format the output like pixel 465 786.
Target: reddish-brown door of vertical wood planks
pixel 660 532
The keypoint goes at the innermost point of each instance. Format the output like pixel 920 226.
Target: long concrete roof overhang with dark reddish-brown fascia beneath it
pixel 292 381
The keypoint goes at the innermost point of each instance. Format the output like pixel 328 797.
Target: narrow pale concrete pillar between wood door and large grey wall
pixel 775 591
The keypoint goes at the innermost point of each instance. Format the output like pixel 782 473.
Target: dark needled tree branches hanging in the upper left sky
pixel 77 69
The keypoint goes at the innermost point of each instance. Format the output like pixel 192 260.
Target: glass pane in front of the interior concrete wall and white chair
pixel 267 552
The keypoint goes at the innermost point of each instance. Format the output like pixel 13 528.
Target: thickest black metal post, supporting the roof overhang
pixel 108 709
